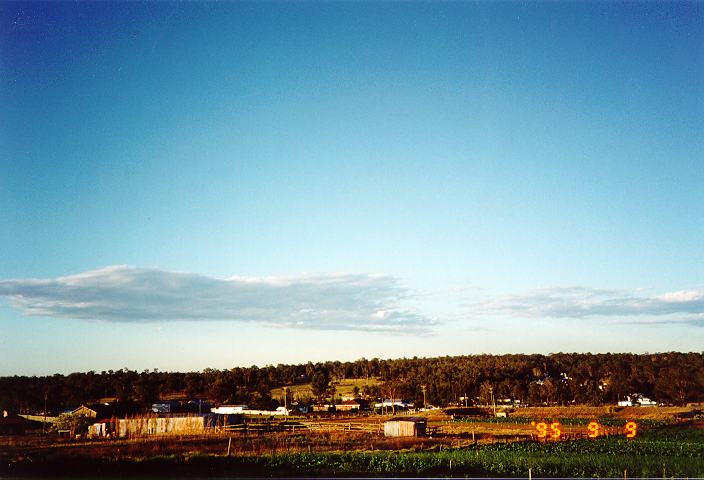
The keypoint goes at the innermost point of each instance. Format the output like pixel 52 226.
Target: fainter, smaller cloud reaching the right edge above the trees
pixel 579 302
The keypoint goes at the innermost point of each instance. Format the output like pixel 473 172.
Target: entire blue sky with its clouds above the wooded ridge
pixel 191 185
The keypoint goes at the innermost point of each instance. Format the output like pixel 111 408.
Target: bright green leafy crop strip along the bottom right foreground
pixel 602 458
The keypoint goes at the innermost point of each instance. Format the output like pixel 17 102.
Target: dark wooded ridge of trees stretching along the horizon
pixel 555 379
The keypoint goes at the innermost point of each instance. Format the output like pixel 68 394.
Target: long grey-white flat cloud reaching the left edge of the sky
pixel 365 302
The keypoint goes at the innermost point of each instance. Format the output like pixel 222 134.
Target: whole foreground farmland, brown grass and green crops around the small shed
pixel 665 446
